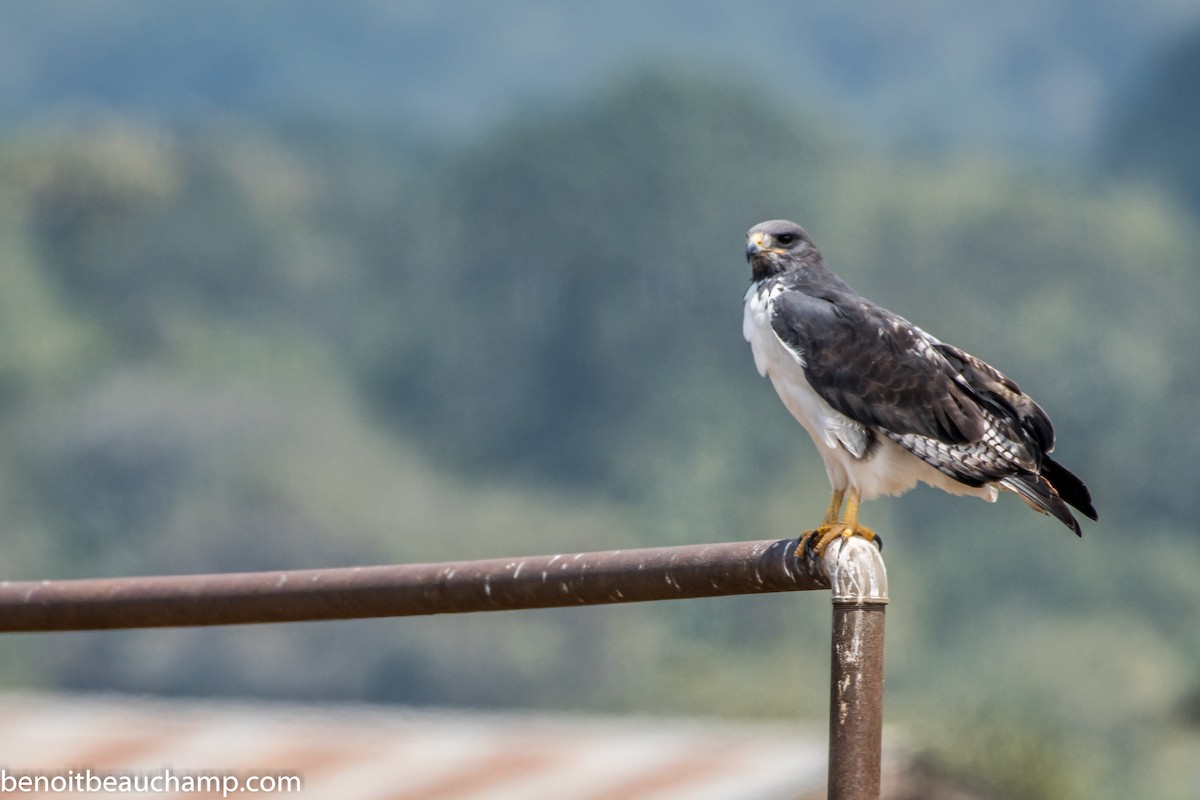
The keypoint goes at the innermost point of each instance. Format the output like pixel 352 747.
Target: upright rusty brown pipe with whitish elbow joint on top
pixel 860 586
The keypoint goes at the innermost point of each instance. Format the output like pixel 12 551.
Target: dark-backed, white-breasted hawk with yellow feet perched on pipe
pixel 886 404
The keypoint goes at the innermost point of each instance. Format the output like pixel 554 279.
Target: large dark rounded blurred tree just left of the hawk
pixel 573 287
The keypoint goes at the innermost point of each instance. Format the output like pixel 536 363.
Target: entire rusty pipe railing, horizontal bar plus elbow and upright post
pixel 851 568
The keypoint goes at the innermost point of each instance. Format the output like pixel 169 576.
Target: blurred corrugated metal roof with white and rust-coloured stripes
pixel 382 754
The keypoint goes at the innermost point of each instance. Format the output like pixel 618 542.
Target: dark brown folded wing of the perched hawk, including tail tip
pixel 945 406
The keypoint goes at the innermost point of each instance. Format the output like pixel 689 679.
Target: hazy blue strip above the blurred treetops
pixel 1021 75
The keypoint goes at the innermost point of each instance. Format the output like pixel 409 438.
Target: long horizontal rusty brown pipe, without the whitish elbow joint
pixel 407 591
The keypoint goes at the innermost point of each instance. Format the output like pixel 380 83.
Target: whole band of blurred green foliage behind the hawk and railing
pixel 237 348
